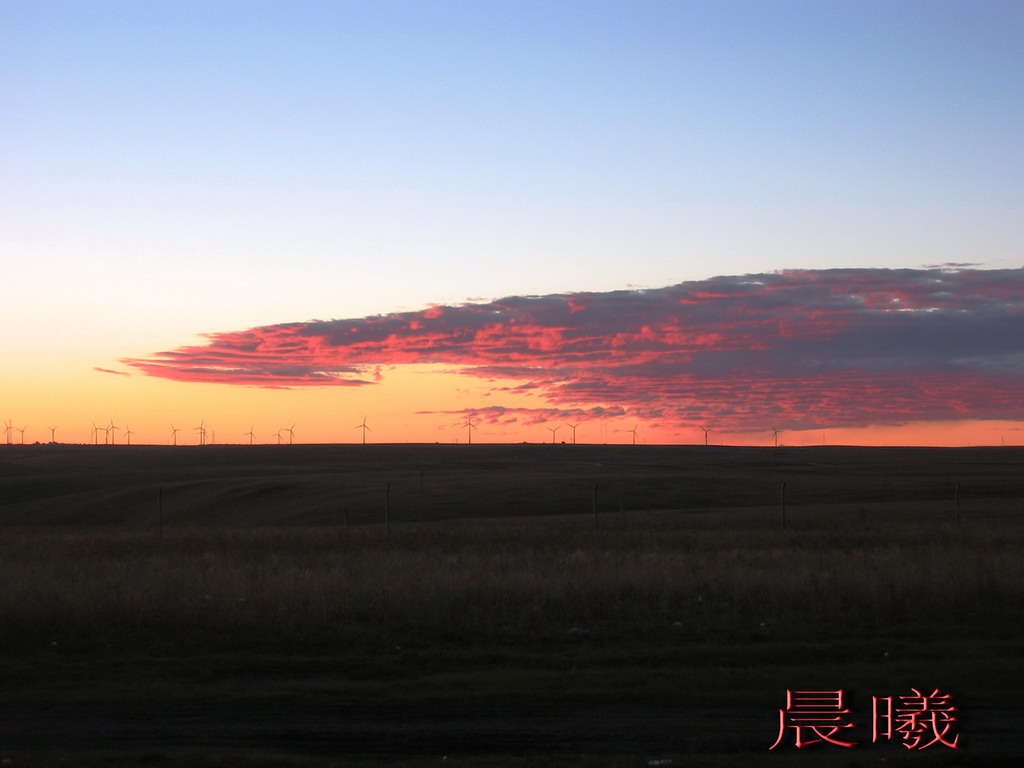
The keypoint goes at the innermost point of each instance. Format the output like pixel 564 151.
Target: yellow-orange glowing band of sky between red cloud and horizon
pixel 417 404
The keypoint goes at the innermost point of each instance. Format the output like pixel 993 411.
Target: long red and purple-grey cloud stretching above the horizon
pixel 838 348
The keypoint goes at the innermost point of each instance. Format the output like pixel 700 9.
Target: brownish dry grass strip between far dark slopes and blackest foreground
pixel 700 575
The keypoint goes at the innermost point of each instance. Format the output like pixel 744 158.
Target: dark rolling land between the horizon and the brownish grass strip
pixel 334 485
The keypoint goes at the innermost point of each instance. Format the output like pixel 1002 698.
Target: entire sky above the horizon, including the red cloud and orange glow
pixel 665 223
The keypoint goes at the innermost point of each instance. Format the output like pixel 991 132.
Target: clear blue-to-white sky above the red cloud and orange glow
pixel 216 166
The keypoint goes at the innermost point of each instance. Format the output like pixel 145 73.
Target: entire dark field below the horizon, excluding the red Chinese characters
pixel 249 607
